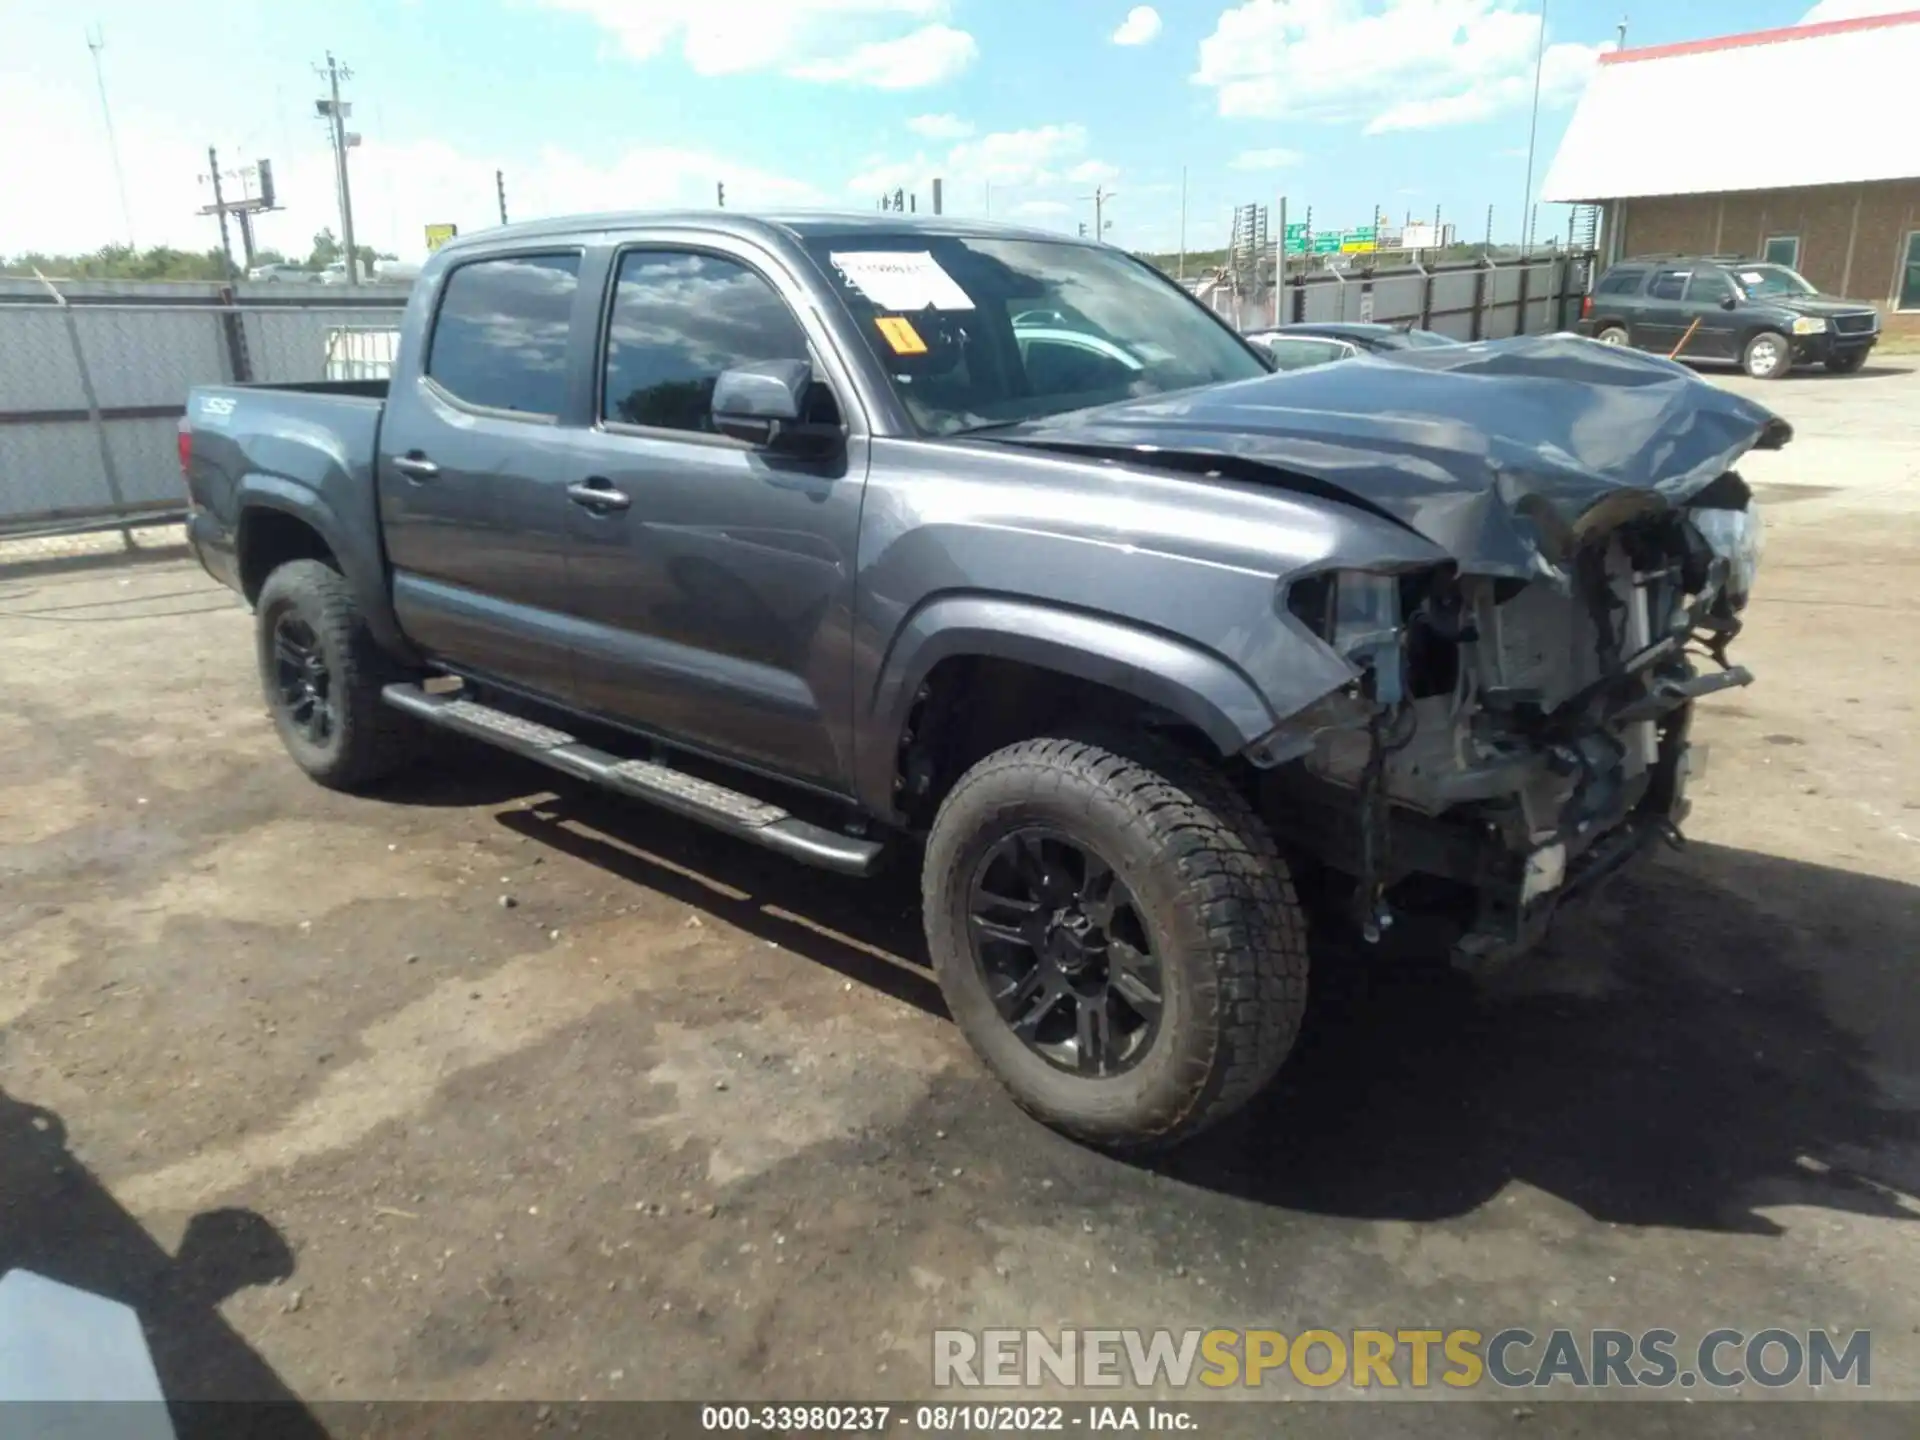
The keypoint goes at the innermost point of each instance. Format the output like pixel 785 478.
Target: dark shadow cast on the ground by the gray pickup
pixel 1671 1059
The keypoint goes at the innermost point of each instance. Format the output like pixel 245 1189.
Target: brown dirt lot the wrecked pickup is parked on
pixel 492 1088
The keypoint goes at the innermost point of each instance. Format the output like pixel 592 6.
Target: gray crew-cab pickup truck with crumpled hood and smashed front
pixel 863 537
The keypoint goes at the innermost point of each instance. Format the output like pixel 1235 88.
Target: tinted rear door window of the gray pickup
pixel 500 337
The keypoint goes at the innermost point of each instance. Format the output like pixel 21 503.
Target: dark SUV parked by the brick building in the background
pixel 1725 308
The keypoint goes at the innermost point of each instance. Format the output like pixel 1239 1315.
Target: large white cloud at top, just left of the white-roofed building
pixel 1389 64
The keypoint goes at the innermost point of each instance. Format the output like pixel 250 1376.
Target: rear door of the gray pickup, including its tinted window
pixel 475 471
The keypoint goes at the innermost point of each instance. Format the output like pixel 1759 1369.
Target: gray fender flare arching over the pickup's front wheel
pixel 1163 671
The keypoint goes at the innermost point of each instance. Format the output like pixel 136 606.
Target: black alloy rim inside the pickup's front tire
pixel 1067 957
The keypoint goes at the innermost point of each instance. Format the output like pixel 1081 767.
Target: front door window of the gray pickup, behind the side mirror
pixel 679 320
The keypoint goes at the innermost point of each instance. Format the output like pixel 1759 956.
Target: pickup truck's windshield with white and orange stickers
pixel 982 331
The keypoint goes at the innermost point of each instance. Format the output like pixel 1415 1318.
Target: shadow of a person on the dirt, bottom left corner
pixel 59 1222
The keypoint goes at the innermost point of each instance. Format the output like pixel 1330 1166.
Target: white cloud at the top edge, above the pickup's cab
pixel 892 45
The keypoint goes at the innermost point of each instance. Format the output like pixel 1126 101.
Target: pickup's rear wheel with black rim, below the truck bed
pixel 322 673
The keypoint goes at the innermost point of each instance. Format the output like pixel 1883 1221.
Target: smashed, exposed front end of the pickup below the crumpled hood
pixel 1508 744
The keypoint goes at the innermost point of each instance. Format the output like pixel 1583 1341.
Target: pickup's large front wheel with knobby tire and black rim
pixel 1116 936
